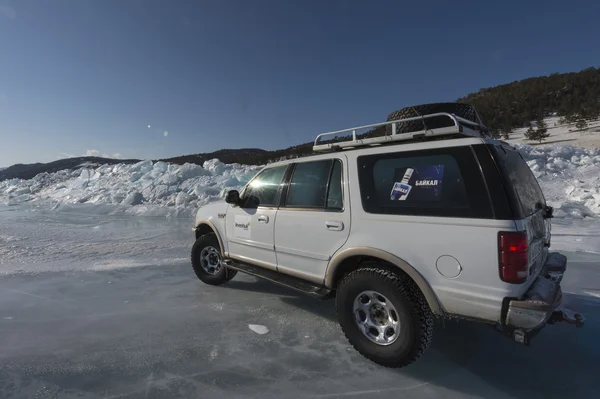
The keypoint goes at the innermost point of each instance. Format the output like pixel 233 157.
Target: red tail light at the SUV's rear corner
pixel 513 257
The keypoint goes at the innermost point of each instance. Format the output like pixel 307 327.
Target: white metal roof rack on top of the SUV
pixel 458 125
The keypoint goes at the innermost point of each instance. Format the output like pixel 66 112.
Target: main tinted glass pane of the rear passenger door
pixel 308 187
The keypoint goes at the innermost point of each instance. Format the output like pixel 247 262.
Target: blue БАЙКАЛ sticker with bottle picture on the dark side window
pixel 422 183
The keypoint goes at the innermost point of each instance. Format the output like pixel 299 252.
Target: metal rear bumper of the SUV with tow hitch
pixel 541 303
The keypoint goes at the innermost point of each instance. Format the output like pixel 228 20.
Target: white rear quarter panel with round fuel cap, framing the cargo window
pixel 477 292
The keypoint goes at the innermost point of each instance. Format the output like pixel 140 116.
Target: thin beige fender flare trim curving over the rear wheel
pixel 425 288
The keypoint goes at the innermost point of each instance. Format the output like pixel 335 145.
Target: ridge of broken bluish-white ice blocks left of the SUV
pixel 144 188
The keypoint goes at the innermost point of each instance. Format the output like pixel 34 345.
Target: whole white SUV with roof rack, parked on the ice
pixel 441 220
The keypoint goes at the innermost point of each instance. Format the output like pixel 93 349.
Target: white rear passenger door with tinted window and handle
pixel 314 219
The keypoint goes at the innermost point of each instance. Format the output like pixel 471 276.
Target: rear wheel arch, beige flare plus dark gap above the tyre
pixel 349 259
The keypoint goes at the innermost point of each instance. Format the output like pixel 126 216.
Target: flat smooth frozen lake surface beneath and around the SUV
pixel 108 307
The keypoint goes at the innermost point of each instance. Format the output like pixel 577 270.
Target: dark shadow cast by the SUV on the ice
pixel 475 359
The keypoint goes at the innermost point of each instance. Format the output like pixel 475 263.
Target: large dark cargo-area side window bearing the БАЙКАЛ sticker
pixel 441 182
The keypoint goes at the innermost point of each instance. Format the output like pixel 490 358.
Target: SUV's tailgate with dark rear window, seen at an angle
pixel 528 203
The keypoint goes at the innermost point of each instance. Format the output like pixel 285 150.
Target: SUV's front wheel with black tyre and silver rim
pixel 207 261
